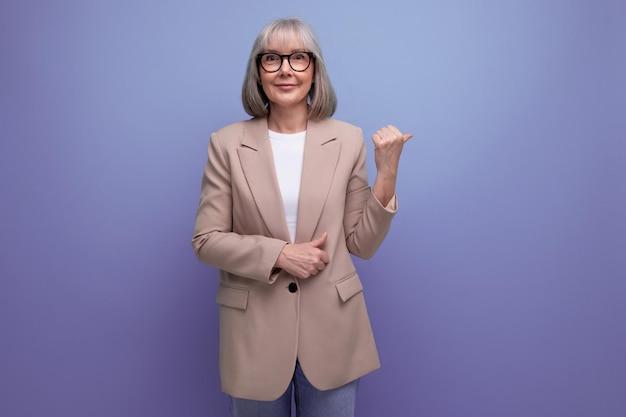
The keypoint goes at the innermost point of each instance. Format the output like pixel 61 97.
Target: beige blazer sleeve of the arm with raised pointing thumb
pixel 366 221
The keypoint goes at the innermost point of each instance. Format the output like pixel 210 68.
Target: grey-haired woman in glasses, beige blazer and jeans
pixel 285 200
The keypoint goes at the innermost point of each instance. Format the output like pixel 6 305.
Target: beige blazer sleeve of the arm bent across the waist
pixel 214 242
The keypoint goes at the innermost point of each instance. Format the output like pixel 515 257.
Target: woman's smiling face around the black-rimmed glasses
pixel 287 88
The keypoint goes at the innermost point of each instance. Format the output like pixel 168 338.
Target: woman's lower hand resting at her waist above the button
pixel 304 260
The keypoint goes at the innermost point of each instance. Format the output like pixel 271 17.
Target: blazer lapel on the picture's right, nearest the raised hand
pixel 321 154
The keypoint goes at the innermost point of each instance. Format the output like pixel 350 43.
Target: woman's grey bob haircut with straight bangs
pixel 322 98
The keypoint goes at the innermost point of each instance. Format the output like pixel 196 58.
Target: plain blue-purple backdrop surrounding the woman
pixel 500 291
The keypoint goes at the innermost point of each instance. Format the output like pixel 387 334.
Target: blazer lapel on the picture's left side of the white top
pixel 257 162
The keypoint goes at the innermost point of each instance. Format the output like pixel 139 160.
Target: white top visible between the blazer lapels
pixel 288 149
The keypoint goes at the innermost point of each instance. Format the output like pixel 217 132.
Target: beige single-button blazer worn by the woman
pixel 265 324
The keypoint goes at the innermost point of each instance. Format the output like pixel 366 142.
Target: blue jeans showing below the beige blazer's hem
pixel 309 401
